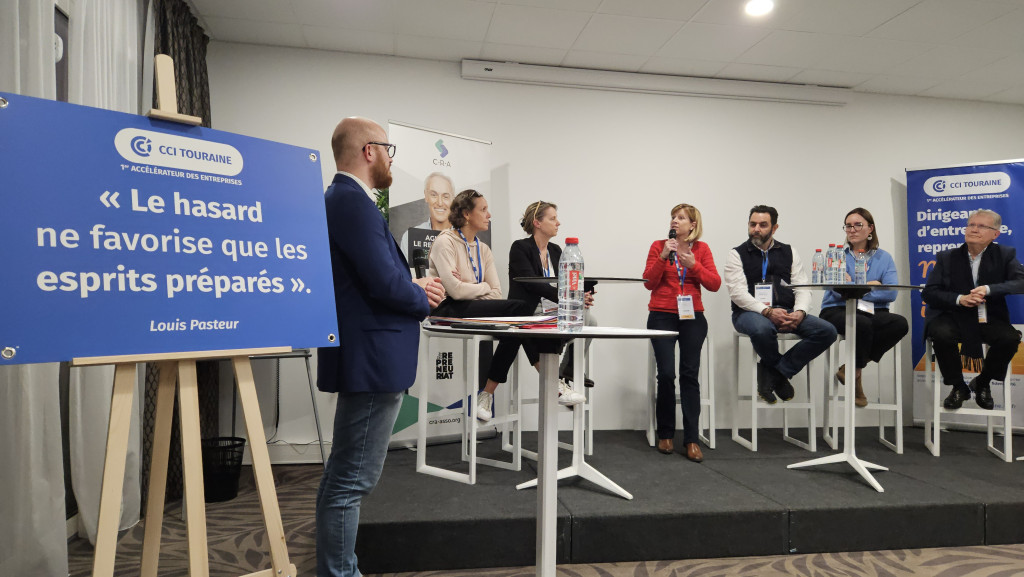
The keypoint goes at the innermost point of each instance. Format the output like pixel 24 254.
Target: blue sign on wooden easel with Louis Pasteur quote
pixel 125 235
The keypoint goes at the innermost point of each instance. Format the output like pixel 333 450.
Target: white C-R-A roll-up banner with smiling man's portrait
pixel 431 169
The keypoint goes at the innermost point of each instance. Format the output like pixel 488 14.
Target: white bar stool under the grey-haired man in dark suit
pixel 933 418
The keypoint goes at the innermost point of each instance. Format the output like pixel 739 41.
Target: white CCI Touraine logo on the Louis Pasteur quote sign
pixel 172 151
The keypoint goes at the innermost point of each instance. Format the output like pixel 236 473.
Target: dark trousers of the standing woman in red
pixel 692 338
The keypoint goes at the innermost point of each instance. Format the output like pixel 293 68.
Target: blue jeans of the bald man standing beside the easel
pixel 363 428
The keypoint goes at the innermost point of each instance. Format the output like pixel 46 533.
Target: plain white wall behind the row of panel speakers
pixel 616 163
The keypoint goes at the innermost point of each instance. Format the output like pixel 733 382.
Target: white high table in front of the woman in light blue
pixel 850 294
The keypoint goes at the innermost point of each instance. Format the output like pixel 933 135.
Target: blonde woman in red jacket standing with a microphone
pixel 676 270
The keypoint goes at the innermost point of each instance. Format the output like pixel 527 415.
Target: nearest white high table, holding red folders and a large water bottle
pixel 549 343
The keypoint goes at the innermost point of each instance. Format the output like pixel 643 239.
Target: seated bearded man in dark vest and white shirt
pixel 757 275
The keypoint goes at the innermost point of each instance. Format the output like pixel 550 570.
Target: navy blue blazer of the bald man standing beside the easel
pixel 379 308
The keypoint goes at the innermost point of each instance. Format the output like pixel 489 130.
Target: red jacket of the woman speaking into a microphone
pixel 663 280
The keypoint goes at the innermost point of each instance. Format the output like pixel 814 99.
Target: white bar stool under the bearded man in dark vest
pixel 749 392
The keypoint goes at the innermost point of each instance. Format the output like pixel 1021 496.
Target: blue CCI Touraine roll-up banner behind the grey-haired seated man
pixel 940 201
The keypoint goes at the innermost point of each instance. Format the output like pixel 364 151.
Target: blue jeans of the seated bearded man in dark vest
pixel 816 338
